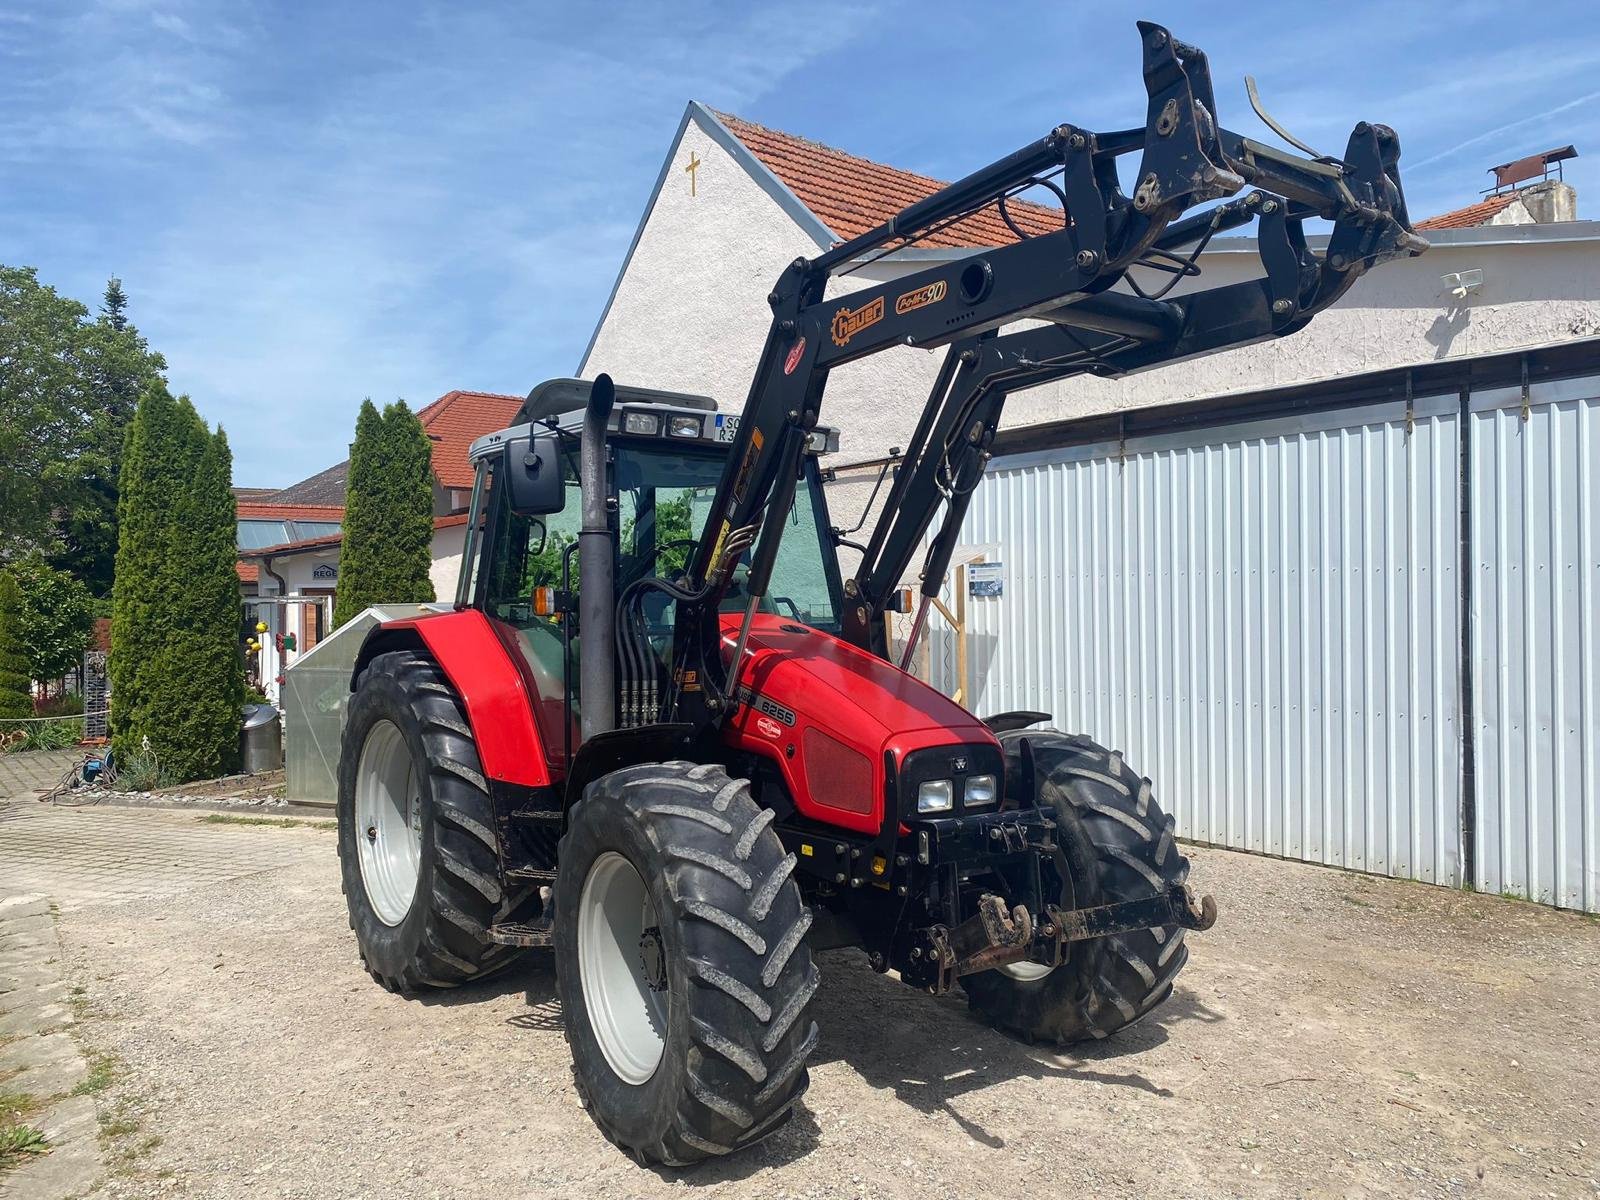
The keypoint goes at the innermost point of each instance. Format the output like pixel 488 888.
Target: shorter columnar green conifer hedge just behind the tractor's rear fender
pixel 385 554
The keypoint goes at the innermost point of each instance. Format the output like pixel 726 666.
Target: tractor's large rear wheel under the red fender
pixel 426 929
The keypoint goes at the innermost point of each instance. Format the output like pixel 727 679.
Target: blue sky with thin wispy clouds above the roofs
pixel 311 204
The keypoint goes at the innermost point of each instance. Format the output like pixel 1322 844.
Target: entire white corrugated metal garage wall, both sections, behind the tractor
pixel 1266 620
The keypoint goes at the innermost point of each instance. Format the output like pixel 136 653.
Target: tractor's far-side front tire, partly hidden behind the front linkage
pixel 1118 846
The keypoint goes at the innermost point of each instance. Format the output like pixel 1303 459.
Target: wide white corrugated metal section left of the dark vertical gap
pixel 1265 618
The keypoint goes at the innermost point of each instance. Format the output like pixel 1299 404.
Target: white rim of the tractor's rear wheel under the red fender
pixel 388 822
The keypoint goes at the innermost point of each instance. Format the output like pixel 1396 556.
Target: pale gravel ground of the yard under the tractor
pixel 1334 1036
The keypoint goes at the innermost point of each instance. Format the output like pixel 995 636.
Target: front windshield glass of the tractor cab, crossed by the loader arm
pixel 663 505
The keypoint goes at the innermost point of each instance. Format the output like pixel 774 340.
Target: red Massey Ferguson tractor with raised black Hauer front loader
pixel 662 735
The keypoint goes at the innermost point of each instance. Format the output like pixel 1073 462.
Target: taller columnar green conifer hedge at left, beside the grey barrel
pixel 175 665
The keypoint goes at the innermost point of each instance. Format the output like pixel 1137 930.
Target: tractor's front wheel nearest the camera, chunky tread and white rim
pixel 689 1034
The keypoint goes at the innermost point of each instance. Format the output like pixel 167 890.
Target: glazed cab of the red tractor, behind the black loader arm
pixel 665 455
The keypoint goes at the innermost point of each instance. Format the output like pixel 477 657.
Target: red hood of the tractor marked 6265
pixel 828 713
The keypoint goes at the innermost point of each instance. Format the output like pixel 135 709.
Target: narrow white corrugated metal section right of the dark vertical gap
pixel 1537 622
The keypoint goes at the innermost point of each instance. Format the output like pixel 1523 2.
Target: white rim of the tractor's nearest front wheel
pixel 626 1014
